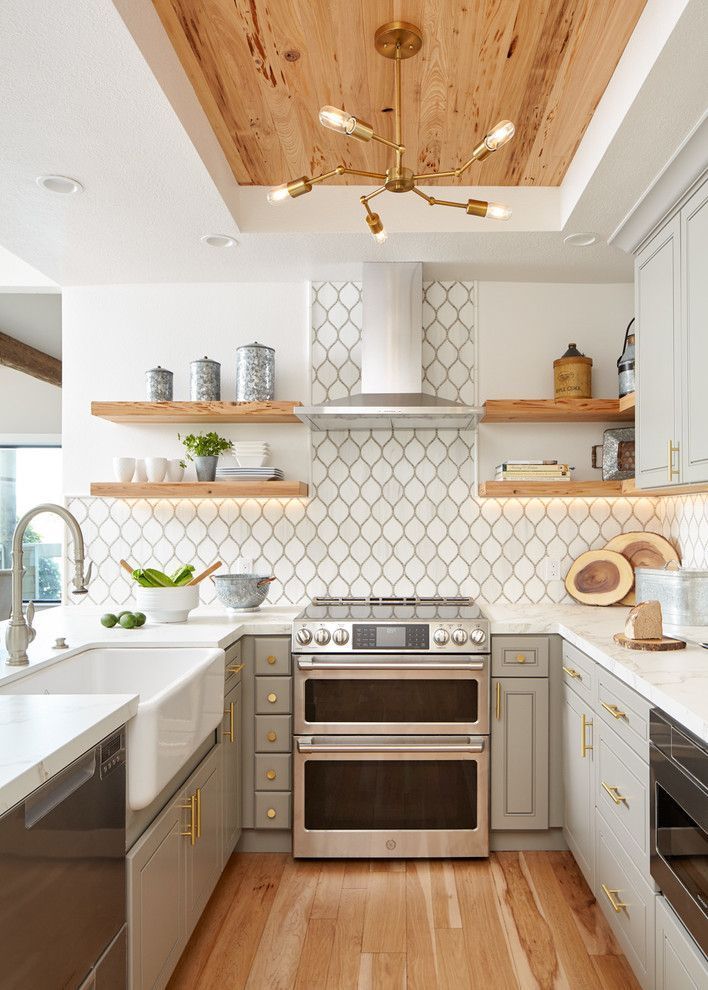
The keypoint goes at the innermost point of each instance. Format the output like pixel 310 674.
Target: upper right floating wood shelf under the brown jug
pixel 557 411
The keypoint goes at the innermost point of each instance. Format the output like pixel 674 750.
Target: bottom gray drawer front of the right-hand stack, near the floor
pixel 633 924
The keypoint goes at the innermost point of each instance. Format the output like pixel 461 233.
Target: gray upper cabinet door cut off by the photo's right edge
pixel 694 337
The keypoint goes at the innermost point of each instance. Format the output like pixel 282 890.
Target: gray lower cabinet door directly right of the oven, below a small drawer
pixel 519 765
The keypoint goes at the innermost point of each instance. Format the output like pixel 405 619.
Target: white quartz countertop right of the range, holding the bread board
pixel 676 680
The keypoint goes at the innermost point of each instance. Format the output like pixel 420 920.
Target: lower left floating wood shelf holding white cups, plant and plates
pixel 201 489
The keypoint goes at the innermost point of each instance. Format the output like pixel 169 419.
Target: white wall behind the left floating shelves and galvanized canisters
pixel 113 334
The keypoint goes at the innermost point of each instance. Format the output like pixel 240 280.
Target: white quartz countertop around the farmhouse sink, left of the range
pixel 42 734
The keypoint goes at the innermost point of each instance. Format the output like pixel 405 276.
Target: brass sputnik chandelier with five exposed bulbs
pixel 398 40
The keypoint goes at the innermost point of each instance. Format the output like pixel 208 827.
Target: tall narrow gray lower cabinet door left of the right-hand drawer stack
pixel 578 807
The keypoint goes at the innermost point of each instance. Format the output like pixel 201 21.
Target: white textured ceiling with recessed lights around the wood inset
pixel 106 101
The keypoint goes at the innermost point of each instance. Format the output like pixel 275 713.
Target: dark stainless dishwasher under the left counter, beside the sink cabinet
pixel 62 878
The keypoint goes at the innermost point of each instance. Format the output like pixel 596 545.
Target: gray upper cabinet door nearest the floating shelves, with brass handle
pixel 657 301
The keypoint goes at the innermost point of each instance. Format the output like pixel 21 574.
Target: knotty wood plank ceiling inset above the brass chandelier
pixel 263 68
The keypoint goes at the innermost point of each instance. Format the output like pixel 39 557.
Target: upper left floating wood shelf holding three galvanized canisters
pixel 196 412
